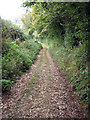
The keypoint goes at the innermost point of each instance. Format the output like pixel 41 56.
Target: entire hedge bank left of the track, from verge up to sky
pixel 18 53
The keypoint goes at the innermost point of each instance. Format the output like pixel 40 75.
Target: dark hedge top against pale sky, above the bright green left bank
pixel 10 30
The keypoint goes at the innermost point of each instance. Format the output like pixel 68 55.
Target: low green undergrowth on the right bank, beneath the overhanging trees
pixel 75 65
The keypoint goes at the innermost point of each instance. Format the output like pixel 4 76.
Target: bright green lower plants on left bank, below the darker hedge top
pixel 17 59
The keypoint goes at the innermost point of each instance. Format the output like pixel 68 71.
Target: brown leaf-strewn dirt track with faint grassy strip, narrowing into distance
pixel 42 92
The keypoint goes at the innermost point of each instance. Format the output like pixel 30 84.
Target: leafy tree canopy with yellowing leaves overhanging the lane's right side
pixel 68 21
